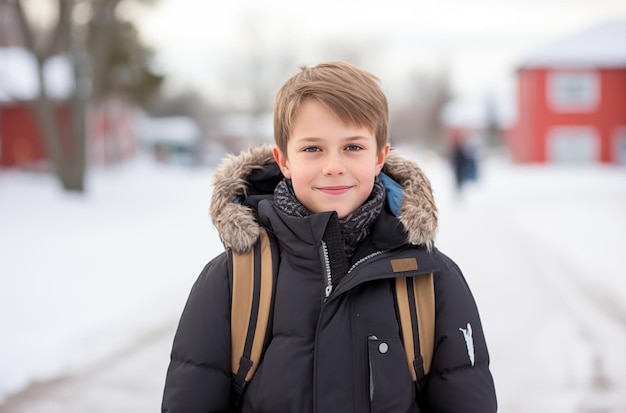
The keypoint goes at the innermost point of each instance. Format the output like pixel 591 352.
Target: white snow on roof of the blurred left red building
pixel 18 75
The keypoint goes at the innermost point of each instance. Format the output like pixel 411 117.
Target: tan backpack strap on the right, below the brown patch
pixel 416 305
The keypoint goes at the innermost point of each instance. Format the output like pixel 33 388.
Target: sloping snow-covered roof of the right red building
pixel 603 45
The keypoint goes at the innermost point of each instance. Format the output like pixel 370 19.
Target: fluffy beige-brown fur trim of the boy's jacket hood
pixel 237 224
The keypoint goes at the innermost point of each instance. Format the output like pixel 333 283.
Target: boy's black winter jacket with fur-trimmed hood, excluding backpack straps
pixel 324 355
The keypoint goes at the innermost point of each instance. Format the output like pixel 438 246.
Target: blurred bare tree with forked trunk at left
pixel 85 31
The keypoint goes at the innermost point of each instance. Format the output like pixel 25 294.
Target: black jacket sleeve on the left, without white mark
pixel 198 377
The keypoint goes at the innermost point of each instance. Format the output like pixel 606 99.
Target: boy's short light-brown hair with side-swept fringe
pixel 350 92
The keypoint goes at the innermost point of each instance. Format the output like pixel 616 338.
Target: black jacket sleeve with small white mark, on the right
pixel 460 379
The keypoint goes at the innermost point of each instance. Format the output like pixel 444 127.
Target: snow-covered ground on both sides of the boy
pixel 88 281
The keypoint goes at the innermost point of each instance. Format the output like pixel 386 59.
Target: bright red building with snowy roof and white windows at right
pixel 572 100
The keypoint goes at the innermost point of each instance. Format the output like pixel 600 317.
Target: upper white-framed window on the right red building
pixel 573 91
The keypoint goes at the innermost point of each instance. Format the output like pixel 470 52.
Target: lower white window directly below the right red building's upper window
pixel 573 144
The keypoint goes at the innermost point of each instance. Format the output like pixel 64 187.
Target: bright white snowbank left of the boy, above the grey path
pixel 82 277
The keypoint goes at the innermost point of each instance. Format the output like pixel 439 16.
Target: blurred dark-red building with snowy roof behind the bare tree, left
pixel 110 131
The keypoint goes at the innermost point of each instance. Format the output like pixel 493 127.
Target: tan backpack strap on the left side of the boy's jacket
pixel 254 275
